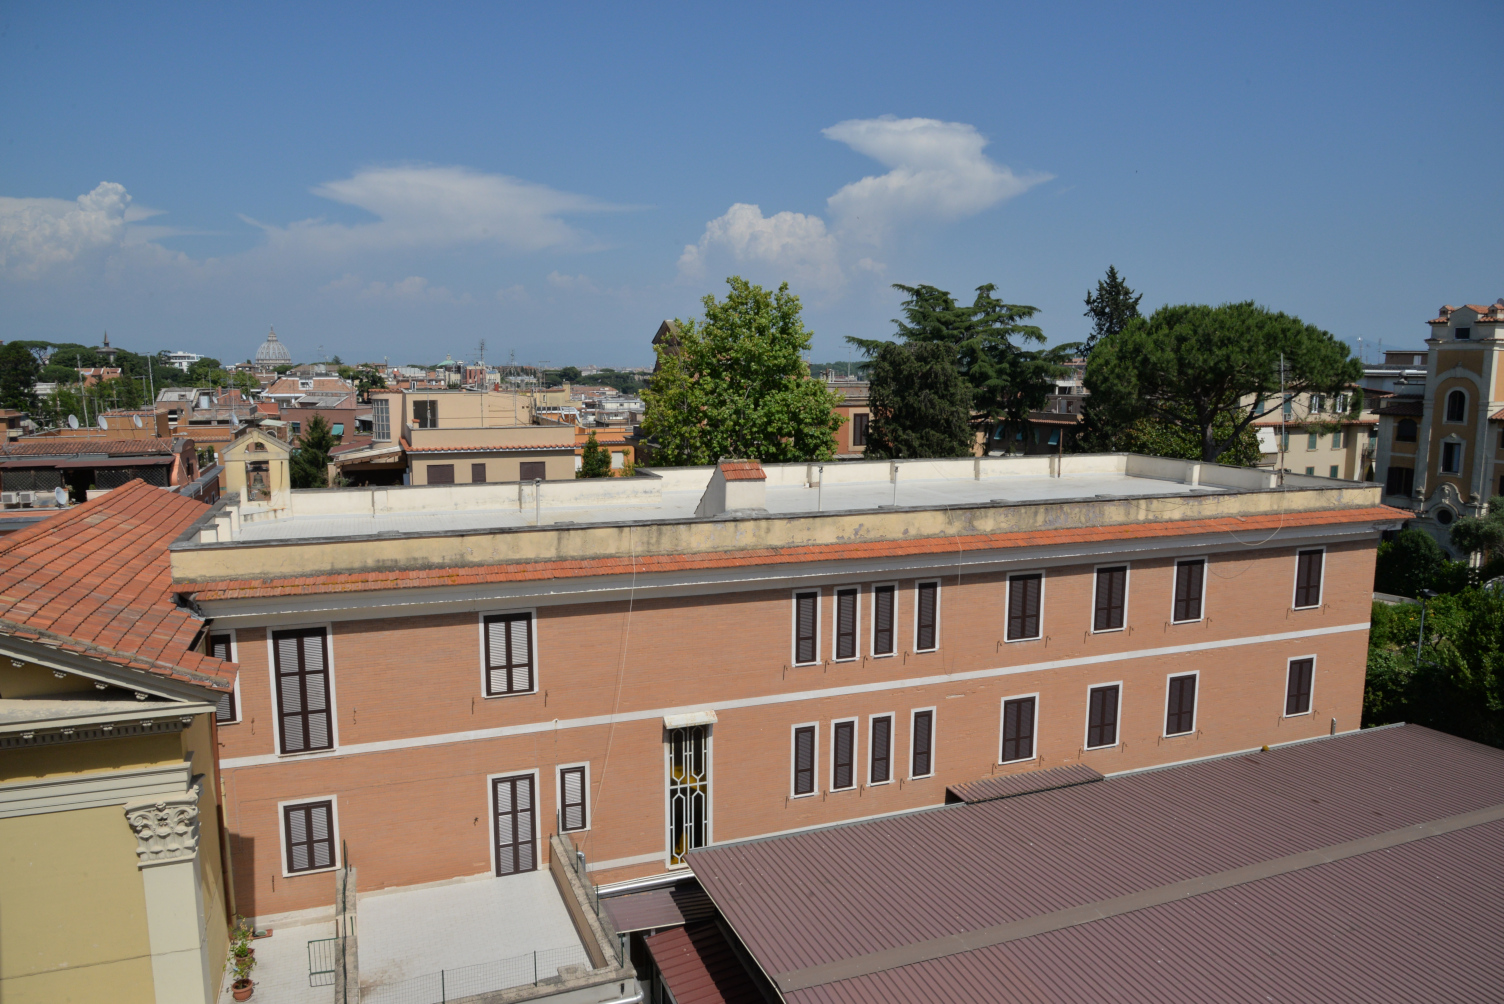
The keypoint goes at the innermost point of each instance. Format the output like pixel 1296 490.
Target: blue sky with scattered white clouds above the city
pixel 405 181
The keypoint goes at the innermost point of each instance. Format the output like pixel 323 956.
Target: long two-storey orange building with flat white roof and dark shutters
pixel 443 677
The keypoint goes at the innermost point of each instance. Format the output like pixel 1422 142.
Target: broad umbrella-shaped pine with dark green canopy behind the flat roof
pixel 1192 364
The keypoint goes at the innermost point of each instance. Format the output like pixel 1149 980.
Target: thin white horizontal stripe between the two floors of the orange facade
pixel 386 746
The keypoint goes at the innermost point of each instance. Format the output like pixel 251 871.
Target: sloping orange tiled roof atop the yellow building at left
pixel 96 581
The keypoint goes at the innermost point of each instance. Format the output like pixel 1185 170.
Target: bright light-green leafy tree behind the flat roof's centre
pixel 738 386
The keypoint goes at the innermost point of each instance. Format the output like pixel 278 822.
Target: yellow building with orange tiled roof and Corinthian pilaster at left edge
pixel 112 869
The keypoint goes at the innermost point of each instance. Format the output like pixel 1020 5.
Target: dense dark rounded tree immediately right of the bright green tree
pixel 920 404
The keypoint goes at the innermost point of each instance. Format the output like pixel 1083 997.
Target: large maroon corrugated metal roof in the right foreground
pixel 1418 922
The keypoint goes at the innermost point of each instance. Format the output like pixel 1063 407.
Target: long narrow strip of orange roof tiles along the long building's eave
pixel 649 564
